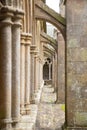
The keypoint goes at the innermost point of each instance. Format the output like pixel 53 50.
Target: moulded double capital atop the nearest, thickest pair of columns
pixel 9 14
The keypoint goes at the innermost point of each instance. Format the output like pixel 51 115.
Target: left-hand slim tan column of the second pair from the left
pixel 22 81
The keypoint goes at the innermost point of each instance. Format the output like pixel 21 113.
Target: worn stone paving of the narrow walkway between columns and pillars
pixel 50 116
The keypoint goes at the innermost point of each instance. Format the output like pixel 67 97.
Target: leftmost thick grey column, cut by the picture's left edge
pixel 5 71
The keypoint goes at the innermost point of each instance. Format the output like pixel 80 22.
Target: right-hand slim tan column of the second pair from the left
pixel 27 72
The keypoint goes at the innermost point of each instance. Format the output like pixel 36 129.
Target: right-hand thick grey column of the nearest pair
pixel 16 69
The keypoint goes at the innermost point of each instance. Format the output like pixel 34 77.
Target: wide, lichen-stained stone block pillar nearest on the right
pixel 76 80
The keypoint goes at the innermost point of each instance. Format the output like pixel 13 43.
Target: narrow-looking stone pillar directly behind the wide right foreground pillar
pixel 61 69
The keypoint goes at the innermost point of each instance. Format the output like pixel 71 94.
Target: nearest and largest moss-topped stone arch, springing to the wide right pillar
pixel 43 12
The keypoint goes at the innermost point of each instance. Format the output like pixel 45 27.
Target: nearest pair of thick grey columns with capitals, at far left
pixel 10 67
